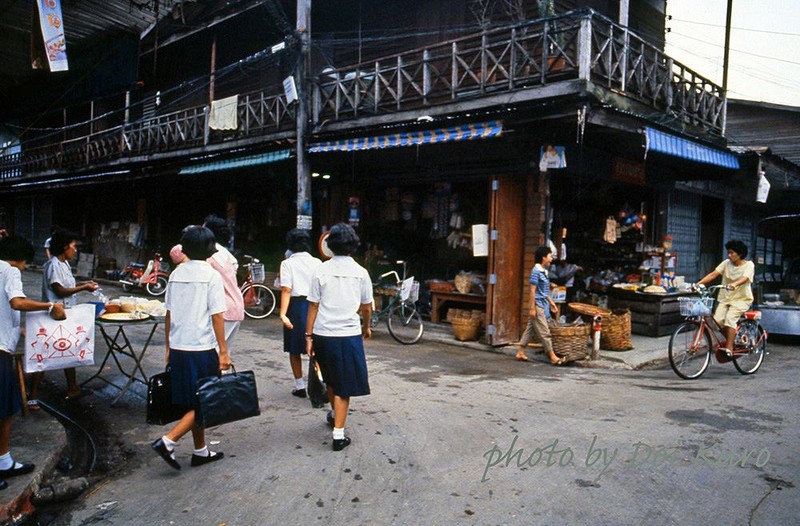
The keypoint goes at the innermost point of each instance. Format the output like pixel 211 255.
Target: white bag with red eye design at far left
pixel 51 344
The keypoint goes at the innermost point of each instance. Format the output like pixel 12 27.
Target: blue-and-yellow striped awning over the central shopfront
pixel 467 132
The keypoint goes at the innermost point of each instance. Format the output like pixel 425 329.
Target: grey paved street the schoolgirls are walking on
pixel 455 436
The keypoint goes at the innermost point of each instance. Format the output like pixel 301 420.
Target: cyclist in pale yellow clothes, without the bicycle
pixel 737 295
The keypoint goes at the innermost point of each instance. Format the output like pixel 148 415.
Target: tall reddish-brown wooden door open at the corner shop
pixel 506 251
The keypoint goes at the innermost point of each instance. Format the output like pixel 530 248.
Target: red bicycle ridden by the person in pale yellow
pixel 690 346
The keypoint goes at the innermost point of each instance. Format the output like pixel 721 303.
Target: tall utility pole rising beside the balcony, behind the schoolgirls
pixel 304 208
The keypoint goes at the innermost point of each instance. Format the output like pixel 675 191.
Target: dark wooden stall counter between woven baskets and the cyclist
pixel 651 314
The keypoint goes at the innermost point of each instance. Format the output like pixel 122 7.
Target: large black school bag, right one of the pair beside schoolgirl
pixel 226 398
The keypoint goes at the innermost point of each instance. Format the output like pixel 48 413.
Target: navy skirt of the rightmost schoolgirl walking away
pixel 343 365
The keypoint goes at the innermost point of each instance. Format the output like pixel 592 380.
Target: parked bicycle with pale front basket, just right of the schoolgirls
pixel 399 306
